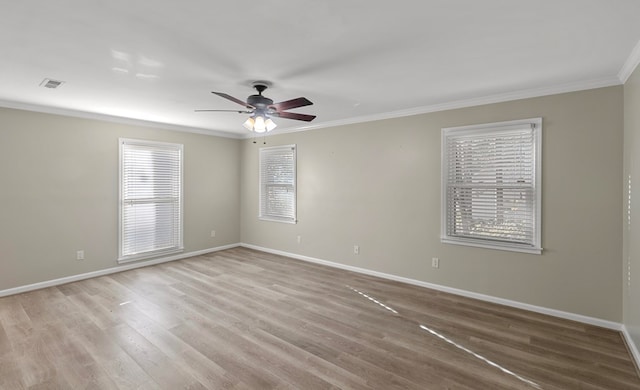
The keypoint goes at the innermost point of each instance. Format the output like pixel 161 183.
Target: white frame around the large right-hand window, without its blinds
pixel 448 213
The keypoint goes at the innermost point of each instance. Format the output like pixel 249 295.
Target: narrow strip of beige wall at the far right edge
pixel 631 256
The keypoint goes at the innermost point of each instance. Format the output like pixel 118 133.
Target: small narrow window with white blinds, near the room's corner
pixel 278 184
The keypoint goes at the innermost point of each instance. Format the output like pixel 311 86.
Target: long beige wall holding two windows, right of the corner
pixel 377 185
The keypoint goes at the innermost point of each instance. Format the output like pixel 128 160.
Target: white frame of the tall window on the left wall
pixel 177 241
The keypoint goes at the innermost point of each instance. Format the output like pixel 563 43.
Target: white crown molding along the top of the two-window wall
pixel 471 102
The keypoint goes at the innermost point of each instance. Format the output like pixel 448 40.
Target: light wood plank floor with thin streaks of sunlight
pixel 243 319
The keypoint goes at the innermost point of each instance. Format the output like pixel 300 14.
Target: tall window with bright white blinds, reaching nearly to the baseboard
pixel 150 199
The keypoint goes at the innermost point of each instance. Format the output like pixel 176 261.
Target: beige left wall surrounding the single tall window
pixel 59 193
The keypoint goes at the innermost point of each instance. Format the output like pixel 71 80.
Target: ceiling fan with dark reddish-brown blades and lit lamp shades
pixel 262 109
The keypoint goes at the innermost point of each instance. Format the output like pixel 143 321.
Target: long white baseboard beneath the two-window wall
pixel 488 298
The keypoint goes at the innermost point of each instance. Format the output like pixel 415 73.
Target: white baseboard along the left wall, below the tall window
pixel 120 268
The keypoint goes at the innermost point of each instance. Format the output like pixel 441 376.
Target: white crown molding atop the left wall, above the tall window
pixel 113 119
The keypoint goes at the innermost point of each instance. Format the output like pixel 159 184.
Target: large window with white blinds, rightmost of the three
pixel 491 186
